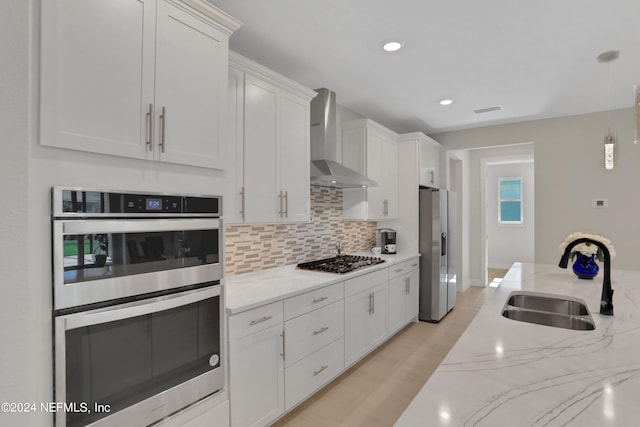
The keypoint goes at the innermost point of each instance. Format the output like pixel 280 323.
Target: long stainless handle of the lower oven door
pixel 136 308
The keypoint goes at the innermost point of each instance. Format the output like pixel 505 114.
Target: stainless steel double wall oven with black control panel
pixel 138 311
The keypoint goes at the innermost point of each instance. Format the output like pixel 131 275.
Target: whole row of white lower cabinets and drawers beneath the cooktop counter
pixel 282 352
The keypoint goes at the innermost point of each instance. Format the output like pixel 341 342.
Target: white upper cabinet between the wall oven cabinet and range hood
pixel 270 130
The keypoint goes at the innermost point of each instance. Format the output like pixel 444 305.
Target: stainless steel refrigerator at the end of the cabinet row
pixel 437 269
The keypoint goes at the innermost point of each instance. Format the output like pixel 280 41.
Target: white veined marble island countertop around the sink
pixel 503 372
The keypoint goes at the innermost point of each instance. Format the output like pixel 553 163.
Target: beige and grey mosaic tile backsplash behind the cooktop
pixel 258 247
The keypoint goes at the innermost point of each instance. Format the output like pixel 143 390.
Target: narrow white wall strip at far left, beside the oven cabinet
pixel 16 312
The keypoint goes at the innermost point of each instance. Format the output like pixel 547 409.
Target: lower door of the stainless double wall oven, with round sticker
pixel 135 363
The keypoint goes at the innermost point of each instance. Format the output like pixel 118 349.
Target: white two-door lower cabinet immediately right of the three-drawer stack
pixel 365 315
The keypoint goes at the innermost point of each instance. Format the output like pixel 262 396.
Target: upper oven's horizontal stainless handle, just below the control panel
pixel 137 226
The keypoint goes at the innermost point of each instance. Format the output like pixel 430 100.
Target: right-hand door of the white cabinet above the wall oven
pixel 191 88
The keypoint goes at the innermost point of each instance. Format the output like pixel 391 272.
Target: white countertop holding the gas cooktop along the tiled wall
pixel 250 290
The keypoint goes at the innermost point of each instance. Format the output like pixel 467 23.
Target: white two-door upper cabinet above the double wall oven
pixel 145 79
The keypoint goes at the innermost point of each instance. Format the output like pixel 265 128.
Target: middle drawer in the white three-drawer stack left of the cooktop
pixel 308 333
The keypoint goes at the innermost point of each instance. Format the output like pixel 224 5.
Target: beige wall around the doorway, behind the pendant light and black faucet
pixel 569 175
